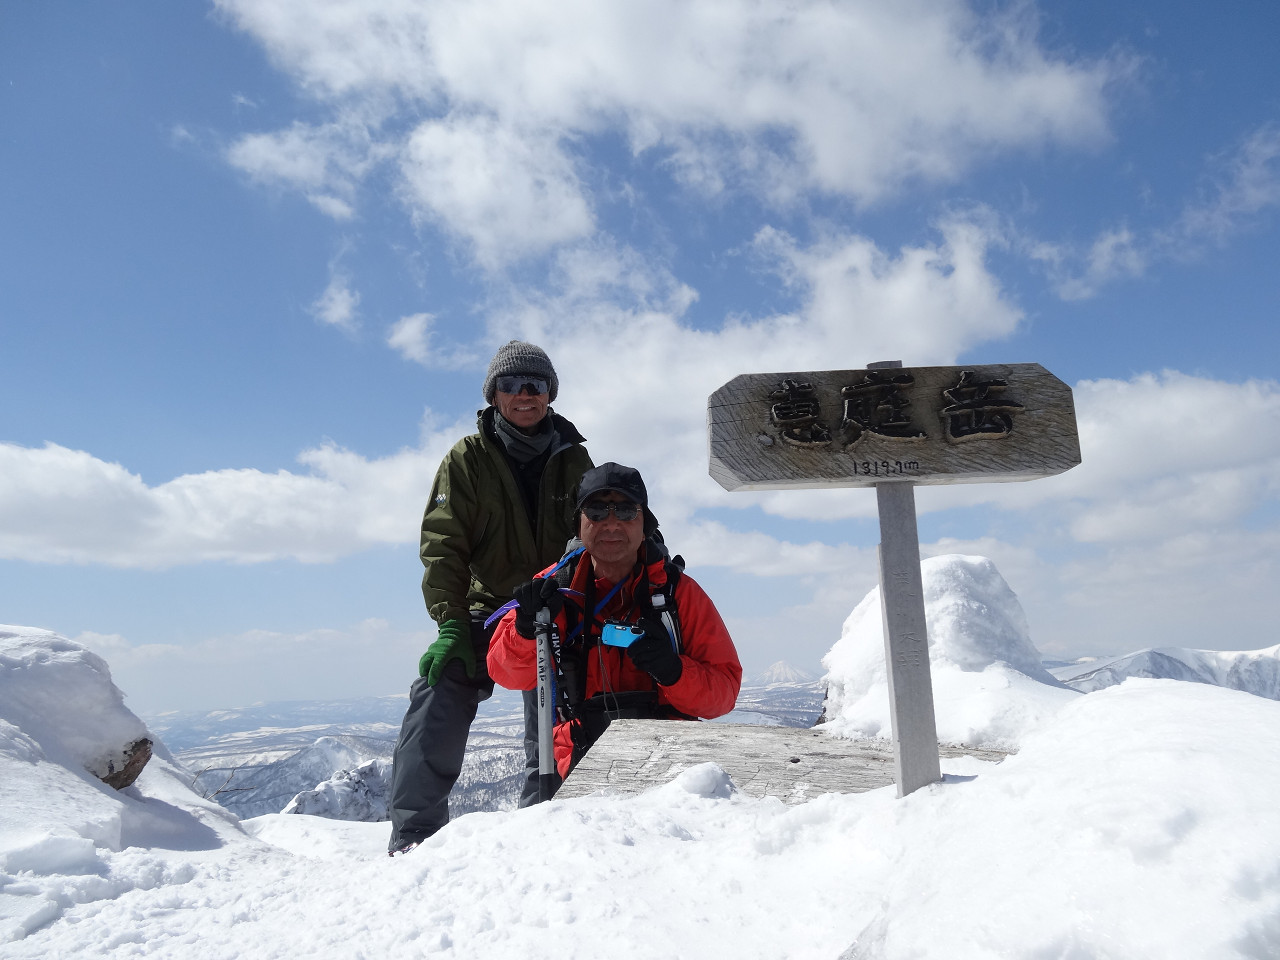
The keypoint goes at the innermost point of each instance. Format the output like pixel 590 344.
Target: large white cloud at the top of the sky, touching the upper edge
pixel 780 99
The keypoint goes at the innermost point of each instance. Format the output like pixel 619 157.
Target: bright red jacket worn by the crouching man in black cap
pixel 708 684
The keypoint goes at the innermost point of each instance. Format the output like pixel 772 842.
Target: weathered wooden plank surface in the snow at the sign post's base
pixel 790 764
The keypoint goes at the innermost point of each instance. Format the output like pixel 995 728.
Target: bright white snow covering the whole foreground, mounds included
pixel 1137 821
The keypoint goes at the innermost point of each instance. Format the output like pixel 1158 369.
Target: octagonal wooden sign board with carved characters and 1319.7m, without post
pixel 860 428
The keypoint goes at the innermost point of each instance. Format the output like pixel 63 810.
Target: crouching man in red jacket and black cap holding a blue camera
pixel 678 662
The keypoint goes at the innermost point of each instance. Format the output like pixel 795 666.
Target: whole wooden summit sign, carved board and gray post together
pixel 893 428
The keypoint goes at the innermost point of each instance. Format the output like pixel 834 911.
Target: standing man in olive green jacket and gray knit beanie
pixel 501 510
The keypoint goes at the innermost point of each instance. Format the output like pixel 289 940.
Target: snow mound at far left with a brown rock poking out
pixel 62 721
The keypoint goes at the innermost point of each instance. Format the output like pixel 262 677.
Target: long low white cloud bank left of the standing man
pixel 63 506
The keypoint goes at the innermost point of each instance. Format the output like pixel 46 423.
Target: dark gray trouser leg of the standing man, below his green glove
pixel 432 746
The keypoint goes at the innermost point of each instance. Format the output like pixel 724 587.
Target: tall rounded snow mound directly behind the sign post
pixel 990 688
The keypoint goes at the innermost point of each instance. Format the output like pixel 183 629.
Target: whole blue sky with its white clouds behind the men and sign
pixel 255 257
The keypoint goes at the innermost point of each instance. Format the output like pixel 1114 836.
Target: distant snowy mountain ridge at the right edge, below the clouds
pixel 1250 671
